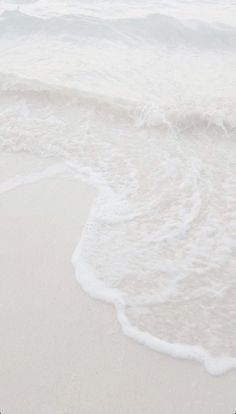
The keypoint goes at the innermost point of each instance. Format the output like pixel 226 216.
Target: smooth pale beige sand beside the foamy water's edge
pixel 62 352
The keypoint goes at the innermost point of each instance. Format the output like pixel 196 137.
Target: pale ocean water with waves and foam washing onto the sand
pixel 137 98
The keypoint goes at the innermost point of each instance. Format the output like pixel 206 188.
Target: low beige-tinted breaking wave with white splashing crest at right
pixel 221 116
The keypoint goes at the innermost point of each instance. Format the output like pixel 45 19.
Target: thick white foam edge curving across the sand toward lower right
pixel 97 289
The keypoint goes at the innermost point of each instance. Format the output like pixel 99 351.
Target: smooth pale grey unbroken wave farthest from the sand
pixel 153 28
